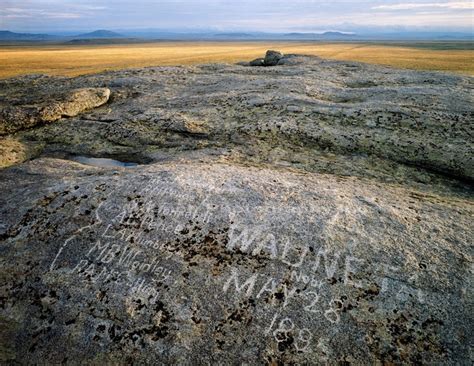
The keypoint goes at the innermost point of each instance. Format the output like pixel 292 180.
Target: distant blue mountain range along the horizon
pixel 103 36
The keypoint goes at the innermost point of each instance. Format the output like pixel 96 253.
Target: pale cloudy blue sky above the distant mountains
pixel 257 15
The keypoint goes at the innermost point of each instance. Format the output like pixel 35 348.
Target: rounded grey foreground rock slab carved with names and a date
pixel 197 263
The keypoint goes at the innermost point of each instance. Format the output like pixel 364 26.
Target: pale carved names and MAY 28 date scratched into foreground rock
pixel 130 251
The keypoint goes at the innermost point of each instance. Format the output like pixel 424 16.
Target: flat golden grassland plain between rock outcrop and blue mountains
pixel 74 60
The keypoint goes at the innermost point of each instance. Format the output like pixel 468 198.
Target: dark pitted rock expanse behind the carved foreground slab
pixel 312 113
